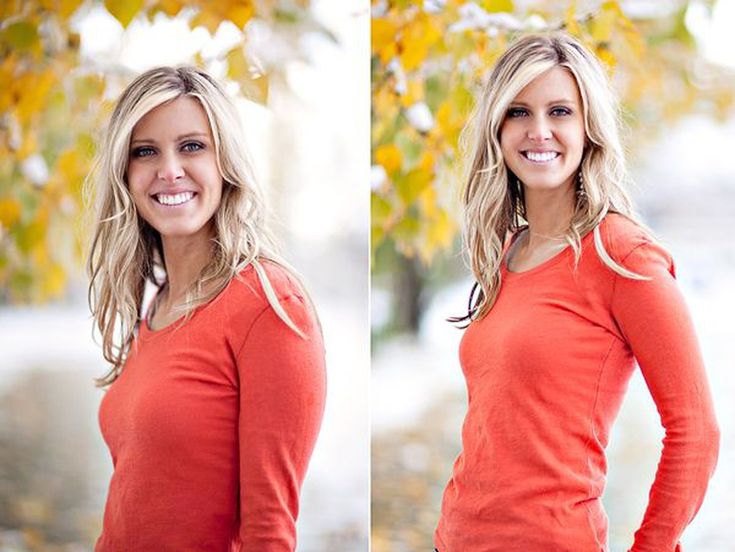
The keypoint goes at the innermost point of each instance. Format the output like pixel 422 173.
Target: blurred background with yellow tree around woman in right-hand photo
pixel 673 64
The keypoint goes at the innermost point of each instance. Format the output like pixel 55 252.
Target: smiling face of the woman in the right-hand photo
pixel 542 136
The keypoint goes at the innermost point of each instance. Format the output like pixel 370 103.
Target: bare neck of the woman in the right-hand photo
pixel 548 213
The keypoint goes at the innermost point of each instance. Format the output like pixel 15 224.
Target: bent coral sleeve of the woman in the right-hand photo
pixel 655 321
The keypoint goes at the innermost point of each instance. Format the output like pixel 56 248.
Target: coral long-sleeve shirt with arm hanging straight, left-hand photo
pixel 211 425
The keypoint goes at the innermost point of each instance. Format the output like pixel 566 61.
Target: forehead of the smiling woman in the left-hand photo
pixel 184 115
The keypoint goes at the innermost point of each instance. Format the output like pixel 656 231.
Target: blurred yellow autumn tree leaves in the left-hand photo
pixel 52 102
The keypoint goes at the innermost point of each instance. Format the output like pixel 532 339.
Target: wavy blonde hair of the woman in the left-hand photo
pixel 125 249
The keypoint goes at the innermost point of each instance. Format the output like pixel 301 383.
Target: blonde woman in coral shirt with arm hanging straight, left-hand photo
pixel 216 392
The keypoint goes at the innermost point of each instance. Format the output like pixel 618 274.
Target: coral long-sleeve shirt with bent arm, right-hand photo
pixel 546 372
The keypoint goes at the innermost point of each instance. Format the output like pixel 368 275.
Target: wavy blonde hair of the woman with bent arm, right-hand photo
pixel 493 204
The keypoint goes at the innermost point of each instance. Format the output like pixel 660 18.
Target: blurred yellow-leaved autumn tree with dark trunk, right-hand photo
pixel 429 61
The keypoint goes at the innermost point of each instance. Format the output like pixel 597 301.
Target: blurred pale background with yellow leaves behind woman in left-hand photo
pixel 303 65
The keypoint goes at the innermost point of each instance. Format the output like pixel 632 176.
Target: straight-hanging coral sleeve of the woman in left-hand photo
pixel 282 394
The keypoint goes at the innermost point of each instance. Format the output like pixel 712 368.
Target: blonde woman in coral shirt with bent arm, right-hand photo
pixel 571 288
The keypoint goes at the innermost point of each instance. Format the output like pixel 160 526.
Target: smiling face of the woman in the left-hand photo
pixel 172 170
